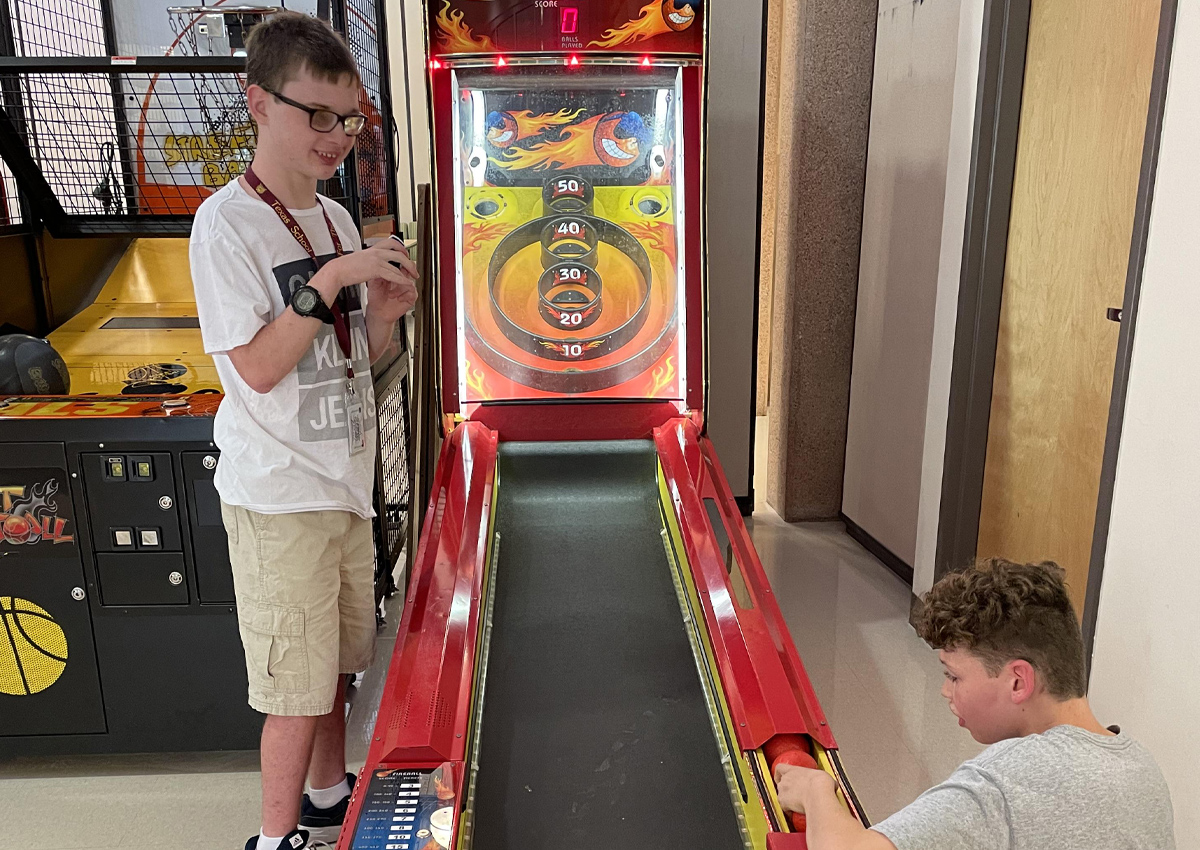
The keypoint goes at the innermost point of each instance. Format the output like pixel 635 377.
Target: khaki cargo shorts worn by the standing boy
pixel 305 591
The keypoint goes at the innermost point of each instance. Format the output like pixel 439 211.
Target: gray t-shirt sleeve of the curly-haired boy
pixel 967 812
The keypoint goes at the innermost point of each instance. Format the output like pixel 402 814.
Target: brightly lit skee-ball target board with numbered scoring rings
pixel 569 234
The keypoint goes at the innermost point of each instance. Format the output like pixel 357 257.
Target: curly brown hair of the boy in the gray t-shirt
pixel 1001 612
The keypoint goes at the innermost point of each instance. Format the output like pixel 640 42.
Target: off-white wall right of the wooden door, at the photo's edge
pixel 1147 666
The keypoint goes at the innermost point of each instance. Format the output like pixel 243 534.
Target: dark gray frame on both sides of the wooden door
pixel 985 254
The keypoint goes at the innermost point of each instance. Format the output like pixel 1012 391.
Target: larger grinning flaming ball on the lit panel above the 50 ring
pixel 611 140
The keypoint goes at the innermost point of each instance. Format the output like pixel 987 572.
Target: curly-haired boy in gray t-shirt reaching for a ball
pixel 1053 777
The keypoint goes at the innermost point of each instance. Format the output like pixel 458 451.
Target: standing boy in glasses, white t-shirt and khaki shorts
pixel 295 316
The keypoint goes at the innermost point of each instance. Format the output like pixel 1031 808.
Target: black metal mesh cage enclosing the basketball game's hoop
pixel 107 147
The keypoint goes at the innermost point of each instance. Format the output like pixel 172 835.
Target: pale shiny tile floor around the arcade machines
pixel 878 684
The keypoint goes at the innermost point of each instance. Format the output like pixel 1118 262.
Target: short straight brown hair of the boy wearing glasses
pixel 290 43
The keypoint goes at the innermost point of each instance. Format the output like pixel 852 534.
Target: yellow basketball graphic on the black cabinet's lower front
pixel 33 648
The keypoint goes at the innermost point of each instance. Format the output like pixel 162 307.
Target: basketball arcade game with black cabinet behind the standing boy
pixel 118 628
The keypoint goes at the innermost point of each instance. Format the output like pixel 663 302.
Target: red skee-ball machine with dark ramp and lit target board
pixel 591 654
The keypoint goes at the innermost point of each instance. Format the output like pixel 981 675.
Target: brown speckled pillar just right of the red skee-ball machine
pixel 825 93
